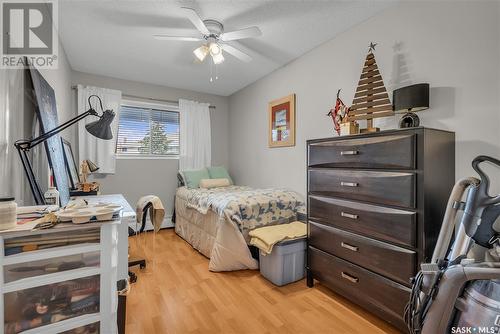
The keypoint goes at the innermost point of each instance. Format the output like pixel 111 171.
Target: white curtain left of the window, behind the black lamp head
pixel 101 152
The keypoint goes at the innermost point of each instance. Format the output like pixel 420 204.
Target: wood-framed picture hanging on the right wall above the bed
pixel 282 122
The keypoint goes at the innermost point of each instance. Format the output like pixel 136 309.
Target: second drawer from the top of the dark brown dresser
pixel 391 188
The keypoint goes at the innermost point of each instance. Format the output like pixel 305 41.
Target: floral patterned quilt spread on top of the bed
pixel 248 207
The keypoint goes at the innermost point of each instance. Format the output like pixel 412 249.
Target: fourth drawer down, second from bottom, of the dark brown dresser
pixel 391 261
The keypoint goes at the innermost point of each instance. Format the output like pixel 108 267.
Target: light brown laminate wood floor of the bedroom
pixel 177 294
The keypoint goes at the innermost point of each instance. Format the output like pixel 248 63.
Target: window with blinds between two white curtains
pixel 145 131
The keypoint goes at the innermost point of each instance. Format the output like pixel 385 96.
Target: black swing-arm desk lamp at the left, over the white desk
pixel 100 129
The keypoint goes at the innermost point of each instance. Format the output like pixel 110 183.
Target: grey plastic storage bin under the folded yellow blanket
pixel 286 263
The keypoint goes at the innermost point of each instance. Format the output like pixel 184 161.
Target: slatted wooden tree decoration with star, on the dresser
pixel 371 99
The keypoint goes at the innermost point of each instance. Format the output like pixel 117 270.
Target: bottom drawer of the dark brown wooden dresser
pixel 379 295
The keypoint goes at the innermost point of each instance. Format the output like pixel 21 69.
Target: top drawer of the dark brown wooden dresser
pixel 392 151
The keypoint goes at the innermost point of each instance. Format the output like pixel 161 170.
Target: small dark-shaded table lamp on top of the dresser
pixel 409 100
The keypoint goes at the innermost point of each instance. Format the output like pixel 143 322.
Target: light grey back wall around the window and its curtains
pixel 136 178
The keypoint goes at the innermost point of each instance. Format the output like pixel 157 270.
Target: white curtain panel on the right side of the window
pixel 195 135
